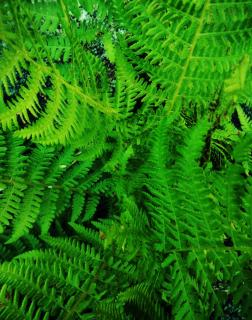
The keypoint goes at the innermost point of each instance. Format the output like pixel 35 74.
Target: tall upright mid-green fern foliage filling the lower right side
pixel 190 231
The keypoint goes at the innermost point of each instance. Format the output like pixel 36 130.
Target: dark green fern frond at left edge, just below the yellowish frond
pixel 34 195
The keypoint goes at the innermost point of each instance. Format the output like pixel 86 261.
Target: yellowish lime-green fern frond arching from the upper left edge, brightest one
pixel 59 119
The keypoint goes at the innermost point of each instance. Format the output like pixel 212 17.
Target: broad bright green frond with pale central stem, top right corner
pixel 187 42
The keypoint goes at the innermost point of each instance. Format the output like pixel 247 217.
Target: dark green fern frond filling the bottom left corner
pixel 74 274
